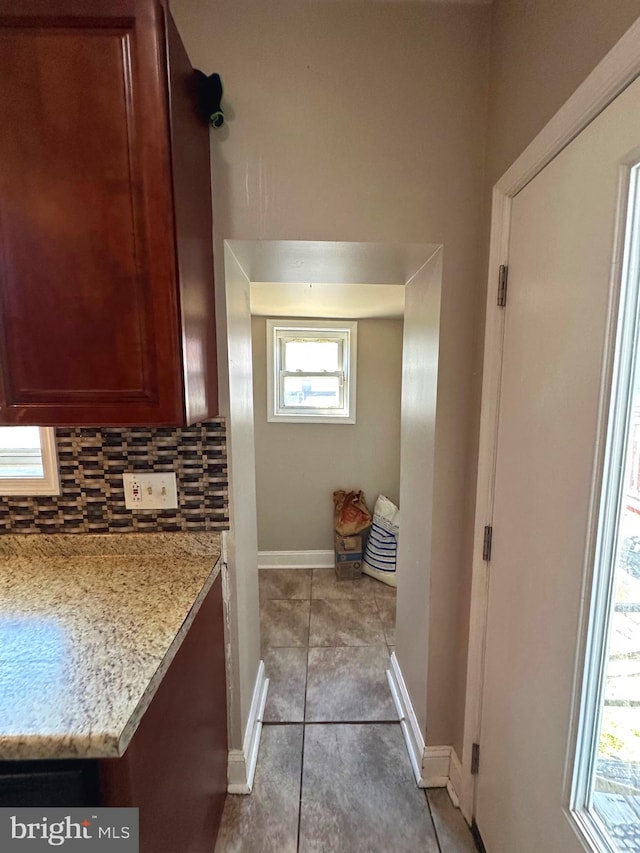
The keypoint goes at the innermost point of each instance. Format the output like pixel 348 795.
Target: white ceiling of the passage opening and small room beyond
pixel 296 278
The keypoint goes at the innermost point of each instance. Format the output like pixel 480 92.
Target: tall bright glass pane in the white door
pixel 613 791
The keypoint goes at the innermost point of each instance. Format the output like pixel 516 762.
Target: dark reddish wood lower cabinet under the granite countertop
pixel 174 769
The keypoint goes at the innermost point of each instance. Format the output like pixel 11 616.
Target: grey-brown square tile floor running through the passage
pixel 333 772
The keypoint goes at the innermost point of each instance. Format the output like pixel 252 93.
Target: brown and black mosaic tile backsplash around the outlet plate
pixel 92 462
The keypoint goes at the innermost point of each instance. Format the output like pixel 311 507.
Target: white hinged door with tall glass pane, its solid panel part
pixel 560 275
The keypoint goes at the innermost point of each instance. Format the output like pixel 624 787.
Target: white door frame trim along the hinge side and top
pixel 618 68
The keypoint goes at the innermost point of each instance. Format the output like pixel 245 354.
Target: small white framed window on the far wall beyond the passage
pixel 311 371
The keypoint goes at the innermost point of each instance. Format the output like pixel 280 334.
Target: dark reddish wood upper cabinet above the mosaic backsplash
pixel 106 261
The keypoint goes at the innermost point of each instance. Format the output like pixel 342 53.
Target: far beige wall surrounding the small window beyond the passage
pixel 298 466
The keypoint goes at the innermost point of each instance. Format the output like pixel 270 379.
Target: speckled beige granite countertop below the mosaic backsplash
pixel 88 627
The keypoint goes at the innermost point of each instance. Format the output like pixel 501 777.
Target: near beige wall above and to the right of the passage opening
pixel 364 122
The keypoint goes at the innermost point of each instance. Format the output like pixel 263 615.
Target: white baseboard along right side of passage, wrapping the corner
pixel 433 766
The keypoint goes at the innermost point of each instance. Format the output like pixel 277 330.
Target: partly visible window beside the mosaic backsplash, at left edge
pixel 28 461
